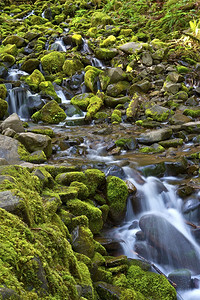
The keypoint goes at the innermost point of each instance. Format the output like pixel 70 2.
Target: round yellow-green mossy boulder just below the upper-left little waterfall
pixel 53 62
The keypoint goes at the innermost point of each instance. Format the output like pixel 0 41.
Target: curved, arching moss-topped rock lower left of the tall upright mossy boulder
pixel 94 214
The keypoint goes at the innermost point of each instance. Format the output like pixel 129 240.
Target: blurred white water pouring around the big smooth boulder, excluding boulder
pixel 158 198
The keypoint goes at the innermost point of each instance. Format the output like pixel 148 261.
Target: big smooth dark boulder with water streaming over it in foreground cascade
pixel 169 250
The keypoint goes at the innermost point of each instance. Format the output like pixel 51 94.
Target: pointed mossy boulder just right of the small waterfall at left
pixel 50 113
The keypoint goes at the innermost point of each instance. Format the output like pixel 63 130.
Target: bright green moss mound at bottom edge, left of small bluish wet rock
pixel 150 284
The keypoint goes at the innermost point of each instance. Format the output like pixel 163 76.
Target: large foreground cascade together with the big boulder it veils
pixel 168 241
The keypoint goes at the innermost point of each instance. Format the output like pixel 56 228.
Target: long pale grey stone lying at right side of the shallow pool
pixel 155 136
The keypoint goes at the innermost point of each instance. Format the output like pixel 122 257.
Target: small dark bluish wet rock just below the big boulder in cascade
pixel 182 277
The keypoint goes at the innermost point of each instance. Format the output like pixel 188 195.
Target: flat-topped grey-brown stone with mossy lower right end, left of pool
pixel 34 142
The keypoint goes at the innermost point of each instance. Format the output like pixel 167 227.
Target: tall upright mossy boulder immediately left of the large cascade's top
pixel 117 193
